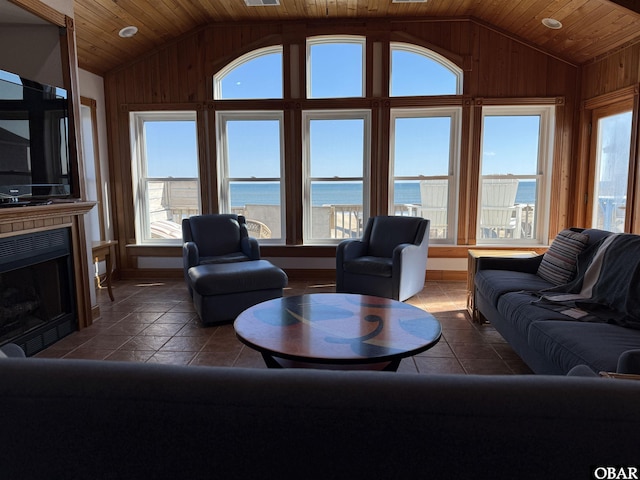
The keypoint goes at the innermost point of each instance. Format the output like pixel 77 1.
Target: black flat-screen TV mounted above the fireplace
pixel 35 164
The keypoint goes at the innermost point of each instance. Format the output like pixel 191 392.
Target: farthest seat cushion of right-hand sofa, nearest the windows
pixel 494 283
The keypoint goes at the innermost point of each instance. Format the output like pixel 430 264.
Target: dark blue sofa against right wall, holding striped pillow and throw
pixel 549 341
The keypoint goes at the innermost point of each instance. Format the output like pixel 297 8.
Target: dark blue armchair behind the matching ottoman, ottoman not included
pixel 216 239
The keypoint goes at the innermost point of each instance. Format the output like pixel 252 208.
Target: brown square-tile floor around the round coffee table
pixel 154 321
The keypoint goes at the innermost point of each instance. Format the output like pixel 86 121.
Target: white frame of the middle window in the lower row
pixel 307 179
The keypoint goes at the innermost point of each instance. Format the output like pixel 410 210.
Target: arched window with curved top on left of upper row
pixel 258 74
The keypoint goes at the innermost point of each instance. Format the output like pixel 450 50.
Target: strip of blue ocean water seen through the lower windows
pixel 346 194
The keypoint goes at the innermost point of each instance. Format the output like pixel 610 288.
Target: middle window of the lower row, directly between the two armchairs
pixel 336 172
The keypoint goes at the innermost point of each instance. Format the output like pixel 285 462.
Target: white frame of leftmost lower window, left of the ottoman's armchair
pixel 139 170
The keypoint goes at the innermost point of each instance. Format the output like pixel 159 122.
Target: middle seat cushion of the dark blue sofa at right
pixel 521 312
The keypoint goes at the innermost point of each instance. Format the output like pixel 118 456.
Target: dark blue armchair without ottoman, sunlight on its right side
pixel 389 261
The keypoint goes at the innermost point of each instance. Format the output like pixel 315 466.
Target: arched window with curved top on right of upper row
pixel 418 71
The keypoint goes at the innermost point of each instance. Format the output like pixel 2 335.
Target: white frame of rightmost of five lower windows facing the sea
pixel 543 175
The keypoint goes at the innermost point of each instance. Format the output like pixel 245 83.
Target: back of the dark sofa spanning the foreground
pixel 82 419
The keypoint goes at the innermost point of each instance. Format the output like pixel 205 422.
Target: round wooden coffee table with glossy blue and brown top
pixel 336 330
